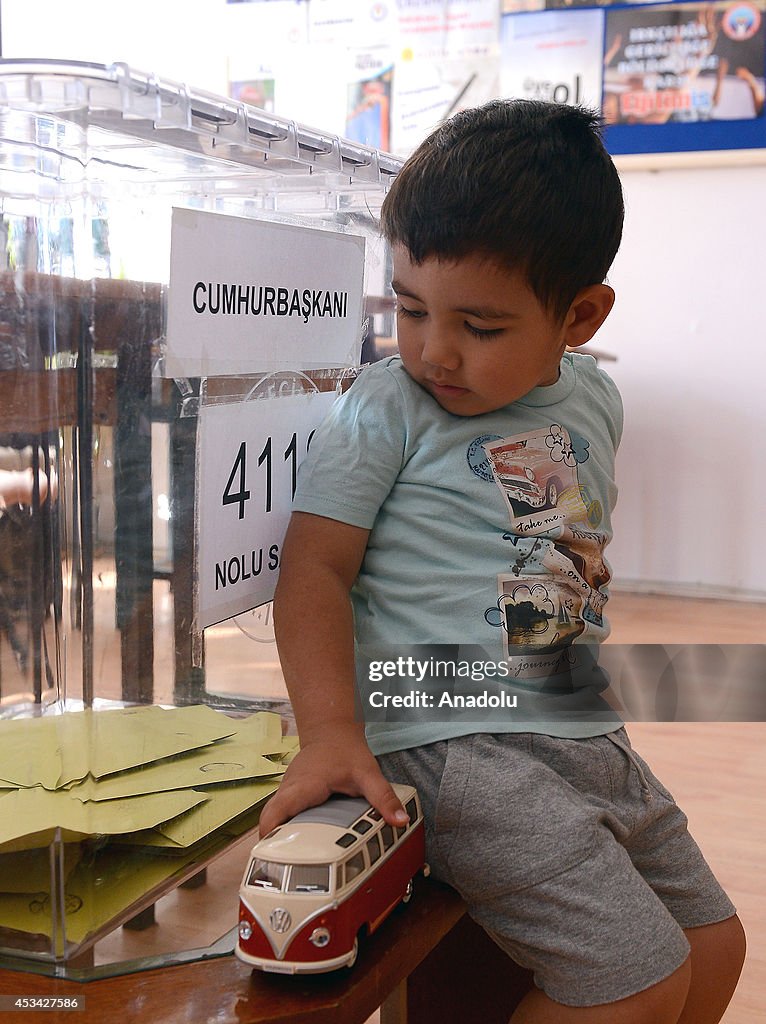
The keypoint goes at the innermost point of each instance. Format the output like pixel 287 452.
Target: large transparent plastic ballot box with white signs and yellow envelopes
pixel 187 285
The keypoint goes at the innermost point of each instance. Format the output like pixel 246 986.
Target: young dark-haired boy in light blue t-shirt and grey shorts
pixel 458 499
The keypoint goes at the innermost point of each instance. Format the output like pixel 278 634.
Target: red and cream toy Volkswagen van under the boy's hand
pixel 326 877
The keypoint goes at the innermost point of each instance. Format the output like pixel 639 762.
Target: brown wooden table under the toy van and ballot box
pixel 429 964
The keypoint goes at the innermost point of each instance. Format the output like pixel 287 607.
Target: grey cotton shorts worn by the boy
pixel 570 854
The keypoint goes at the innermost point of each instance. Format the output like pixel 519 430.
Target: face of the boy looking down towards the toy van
pixel 474 334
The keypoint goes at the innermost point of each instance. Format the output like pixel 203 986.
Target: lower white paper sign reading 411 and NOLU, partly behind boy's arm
pixel 249 455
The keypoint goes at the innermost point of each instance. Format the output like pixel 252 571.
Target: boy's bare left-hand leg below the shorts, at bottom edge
pixel 661 1004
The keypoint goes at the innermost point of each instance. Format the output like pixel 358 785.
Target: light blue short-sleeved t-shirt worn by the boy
pixel 487 540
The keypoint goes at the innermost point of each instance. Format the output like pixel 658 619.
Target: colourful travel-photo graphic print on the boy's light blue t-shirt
pixel 554 589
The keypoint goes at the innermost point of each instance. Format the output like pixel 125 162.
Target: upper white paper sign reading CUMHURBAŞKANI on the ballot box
pixel 248 296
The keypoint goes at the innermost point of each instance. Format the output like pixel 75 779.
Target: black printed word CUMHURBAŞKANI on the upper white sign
pixel 266 301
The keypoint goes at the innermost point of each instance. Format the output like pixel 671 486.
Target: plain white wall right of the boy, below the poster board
pixel 689 333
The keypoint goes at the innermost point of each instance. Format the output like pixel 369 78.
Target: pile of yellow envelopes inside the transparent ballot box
pixel 135 795
